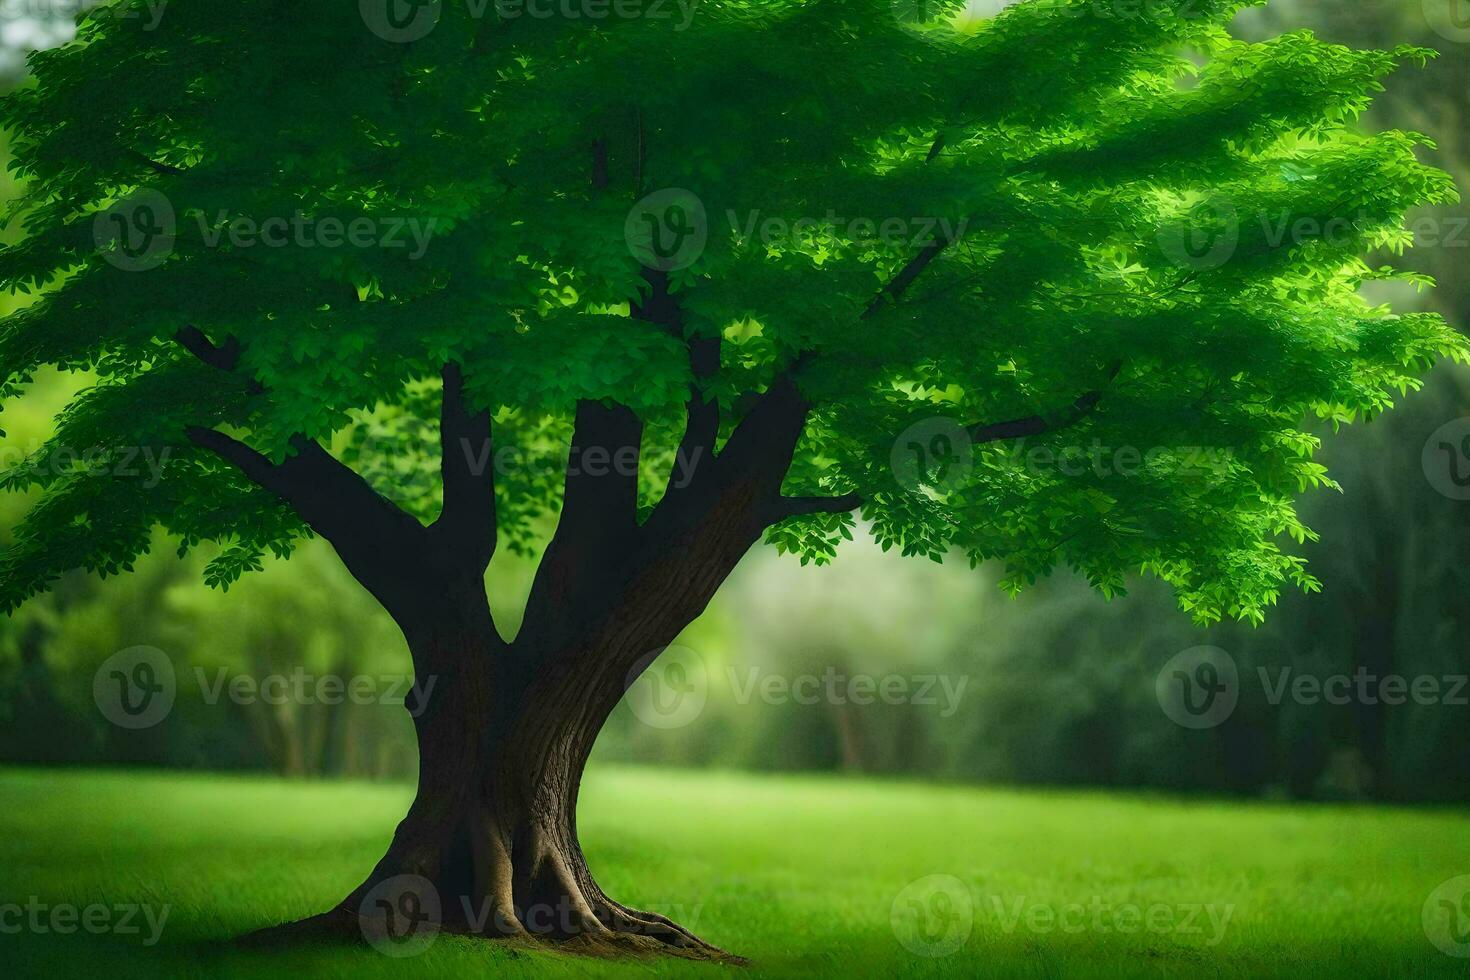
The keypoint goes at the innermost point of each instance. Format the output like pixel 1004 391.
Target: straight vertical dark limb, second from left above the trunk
pixel 468 472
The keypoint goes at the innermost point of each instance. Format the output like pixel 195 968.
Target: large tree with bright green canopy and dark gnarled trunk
pixel 1149 239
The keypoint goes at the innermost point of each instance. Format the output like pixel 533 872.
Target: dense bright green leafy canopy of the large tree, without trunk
pixel 1136 215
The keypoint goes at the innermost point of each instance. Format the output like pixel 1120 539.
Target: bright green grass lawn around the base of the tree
pixel 797 873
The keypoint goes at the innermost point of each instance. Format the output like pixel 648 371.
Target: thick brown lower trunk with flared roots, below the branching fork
pixel 490 846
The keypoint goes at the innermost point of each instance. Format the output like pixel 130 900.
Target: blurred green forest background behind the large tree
pixel 1058 684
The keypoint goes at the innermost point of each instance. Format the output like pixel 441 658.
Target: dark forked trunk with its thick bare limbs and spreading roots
pixel 490 841
